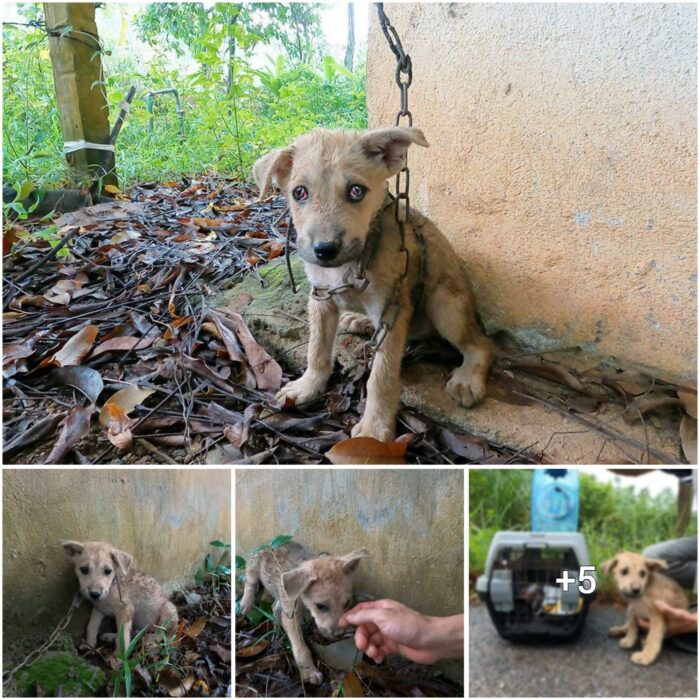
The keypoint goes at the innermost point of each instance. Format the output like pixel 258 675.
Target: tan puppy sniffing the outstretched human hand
pixel 297 578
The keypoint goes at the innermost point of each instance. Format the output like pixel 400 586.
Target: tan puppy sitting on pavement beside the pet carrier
pixel 641 585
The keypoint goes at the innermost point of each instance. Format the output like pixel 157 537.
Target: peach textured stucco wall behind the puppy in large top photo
pixel 562 165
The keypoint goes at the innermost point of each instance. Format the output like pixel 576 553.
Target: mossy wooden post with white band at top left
pixel 80 96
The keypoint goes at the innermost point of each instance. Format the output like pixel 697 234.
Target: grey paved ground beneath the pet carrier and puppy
pixel 593 666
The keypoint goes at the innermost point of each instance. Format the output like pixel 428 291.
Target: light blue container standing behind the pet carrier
pixel 555 499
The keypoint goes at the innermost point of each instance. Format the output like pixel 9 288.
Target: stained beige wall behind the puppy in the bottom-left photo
pixel 165 518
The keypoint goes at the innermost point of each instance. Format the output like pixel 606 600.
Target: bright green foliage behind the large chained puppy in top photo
pixel 234 112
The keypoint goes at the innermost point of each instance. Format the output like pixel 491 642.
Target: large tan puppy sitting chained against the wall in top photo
pixel 336 186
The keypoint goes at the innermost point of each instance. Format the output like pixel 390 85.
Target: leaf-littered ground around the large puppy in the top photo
pixel 113 354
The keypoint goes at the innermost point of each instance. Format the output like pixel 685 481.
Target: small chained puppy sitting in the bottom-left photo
pixel 116 590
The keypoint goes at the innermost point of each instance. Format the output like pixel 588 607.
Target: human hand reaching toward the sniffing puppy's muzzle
pixel 387 627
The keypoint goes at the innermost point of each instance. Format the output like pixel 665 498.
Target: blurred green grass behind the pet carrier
pixel 612 518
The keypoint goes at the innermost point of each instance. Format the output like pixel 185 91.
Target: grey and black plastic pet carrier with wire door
pixel 519 585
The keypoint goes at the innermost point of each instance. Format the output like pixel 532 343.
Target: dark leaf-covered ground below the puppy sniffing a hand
pixel 265 668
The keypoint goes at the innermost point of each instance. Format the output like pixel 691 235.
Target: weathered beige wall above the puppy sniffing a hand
pixel 410 520
